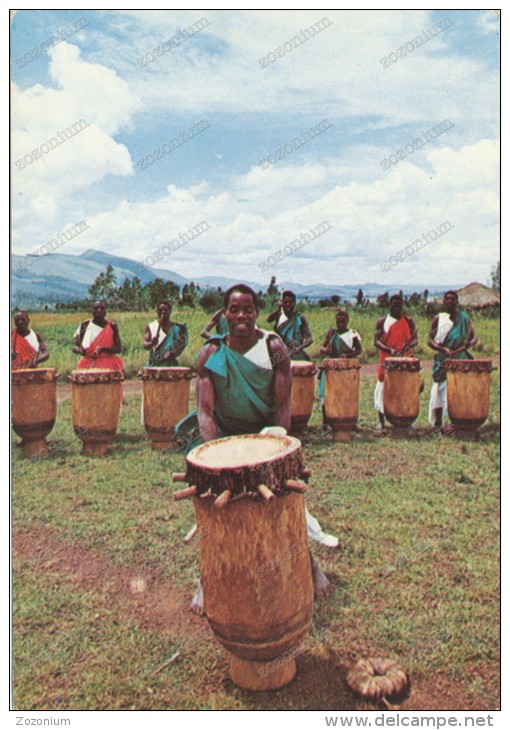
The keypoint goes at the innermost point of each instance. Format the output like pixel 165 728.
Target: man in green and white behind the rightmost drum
pixel 450 336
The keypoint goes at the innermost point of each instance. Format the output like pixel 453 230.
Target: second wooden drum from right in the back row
pixel 402 382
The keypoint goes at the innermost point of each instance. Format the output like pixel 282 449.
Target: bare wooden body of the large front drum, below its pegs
pixel 256 615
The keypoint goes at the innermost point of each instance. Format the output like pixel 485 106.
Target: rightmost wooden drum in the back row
pixel 468 392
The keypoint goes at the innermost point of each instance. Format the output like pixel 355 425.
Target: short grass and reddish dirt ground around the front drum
pixel 416 577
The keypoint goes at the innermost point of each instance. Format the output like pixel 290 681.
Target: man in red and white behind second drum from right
pixel 395 336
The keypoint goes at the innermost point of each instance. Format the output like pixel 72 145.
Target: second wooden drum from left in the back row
pixel 96 396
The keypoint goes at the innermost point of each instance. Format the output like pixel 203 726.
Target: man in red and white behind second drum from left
pixel 98 341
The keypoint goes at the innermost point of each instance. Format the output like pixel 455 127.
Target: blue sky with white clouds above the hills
pixel 254 100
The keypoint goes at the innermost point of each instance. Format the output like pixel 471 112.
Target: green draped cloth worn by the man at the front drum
pixel 243 395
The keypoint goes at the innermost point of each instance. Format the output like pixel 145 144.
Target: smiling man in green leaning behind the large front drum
pixel 243 386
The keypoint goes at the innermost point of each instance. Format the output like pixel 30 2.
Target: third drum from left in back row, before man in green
pixel 165 402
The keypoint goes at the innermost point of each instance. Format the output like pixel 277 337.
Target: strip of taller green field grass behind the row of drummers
pixel 58 331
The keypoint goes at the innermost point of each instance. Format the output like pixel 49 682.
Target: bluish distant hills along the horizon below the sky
pixel 60 277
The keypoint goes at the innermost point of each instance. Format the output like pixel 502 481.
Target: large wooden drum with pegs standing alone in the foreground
pixel 258 607
